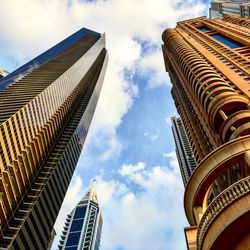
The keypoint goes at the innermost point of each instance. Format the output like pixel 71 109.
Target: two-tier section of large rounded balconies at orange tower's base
pixel 220 223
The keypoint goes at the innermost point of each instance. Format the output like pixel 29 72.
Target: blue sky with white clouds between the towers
pixel 129 148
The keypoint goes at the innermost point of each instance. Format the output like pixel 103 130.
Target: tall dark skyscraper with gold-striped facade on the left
pixel 46 107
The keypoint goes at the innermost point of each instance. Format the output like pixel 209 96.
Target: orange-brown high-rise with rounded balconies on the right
pixel 209 65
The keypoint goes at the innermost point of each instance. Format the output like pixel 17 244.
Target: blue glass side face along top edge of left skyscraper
pixel 46 56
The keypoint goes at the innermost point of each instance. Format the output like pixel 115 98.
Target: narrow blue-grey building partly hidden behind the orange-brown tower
pixel 184 152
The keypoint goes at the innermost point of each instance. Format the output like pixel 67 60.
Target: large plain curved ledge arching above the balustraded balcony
pixel 205 174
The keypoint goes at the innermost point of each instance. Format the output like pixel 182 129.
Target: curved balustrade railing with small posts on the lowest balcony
pixel 223 200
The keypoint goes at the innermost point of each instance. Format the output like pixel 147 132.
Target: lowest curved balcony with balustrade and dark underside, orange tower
pixel 219 216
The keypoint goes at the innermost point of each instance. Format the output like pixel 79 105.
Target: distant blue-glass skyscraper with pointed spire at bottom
pixel 83 225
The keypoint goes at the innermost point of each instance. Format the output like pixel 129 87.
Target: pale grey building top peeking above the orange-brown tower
pixel 220 8
